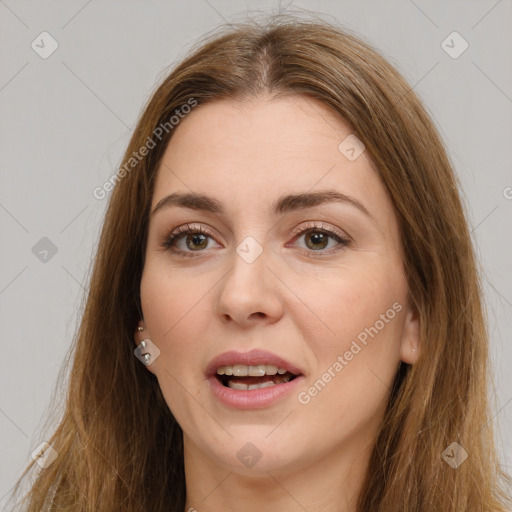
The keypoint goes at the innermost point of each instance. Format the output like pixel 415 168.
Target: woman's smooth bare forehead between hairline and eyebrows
pixel 247 154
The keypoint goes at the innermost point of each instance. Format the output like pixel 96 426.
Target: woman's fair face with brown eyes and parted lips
pixel 298 261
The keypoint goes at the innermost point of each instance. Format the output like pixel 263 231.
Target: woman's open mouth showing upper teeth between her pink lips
pixel 245 378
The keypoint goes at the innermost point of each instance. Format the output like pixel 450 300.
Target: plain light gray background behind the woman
pixel 66 120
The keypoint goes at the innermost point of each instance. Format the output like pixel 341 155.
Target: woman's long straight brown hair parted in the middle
pixel 119 446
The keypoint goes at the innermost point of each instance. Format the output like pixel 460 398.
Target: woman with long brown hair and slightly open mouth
pixel 285 311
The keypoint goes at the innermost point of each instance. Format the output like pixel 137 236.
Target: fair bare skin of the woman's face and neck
pixel 292 300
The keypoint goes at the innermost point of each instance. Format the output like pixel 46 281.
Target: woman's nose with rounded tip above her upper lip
pixel 250 292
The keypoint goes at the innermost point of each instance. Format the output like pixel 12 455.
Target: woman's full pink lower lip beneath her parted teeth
pixel 253 398
